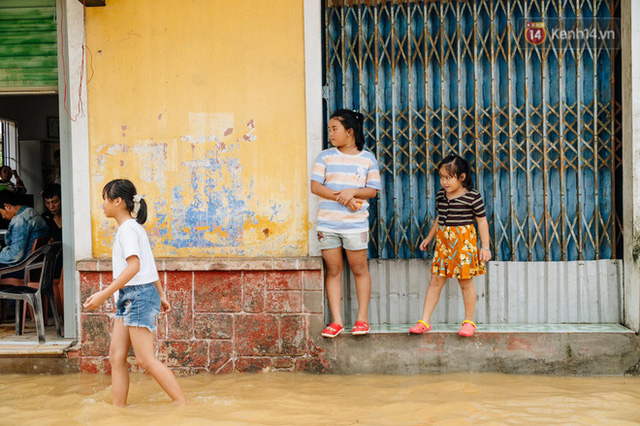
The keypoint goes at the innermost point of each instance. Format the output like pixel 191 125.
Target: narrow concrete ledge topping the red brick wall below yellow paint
pixel 215 264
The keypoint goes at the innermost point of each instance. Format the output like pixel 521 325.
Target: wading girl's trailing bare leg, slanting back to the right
pixel 142 340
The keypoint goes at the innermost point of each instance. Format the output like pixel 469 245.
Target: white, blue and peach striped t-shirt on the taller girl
pixel 338 171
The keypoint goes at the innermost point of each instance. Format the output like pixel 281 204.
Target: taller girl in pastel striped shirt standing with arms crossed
pixel 345 177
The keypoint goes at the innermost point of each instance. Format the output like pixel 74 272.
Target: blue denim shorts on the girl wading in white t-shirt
pixel 138 305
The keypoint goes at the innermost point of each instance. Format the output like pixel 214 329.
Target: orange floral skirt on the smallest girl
pixel 456 253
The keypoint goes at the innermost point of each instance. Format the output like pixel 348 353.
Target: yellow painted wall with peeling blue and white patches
pixel 201 104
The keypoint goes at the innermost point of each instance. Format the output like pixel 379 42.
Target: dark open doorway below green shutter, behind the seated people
pixel 30 149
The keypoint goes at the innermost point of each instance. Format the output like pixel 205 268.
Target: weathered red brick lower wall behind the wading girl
pixel 221 320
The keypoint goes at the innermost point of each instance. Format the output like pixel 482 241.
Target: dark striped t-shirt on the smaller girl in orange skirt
pixel 461 210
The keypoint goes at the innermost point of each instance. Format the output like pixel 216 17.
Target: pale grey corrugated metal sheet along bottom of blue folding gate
pixel 510 293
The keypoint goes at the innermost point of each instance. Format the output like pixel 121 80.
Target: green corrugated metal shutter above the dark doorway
pixel 28 46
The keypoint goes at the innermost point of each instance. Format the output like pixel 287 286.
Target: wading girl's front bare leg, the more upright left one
pixel 118 351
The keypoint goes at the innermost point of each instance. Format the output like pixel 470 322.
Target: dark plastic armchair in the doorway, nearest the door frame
pixel 42 260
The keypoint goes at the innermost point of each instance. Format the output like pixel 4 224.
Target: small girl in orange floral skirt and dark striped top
pixel 456 254
